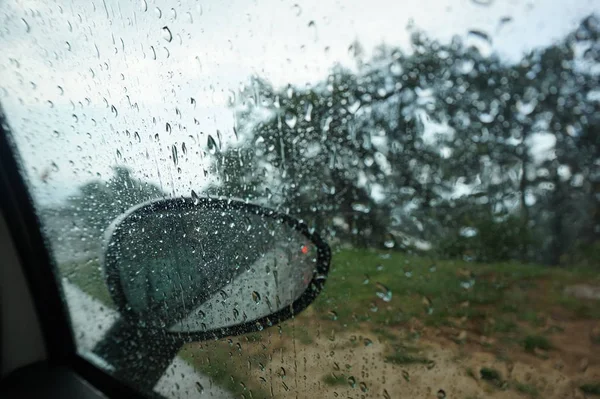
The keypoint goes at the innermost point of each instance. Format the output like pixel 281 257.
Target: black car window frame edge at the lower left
pixel 38 267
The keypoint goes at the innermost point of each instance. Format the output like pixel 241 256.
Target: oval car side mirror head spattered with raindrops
pixel 211 268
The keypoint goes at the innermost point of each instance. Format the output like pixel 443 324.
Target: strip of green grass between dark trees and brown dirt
pixel 392 288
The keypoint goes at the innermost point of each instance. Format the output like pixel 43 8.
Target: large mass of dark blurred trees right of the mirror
pixel 433 141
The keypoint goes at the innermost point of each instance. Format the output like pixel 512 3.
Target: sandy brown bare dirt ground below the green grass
pixel 358 361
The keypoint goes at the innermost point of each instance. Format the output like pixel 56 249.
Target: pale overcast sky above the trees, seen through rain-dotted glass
pixel 70 73
